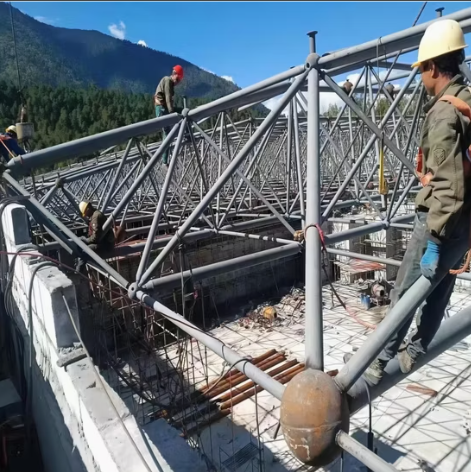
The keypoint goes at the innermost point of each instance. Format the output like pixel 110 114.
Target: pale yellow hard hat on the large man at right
pixel 441 37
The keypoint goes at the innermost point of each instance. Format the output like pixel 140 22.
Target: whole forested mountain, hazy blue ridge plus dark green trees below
pixel 78 83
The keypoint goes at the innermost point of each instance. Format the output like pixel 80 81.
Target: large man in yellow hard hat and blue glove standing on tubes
pixel 441 230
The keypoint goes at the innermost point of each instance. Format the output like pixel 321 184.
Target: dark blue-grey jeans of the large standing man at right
pixel 432 311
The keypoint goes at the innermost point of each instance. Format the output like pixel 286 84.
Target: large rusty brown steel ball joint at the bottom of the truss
pixel 312 412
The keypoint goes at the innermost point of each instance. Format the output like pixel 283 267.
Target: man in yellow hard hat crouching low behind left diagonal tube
pixel 102 242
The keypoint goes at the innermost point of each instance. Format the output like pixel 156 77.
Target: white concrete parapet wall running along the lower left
pixel 78 427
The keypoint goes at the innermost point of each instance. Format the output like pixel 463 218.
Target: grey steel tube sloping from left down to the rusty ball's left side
pixel 252 372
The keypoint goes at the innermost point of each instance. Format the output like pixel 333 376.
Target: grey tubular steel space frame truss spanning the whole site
pixel 292 167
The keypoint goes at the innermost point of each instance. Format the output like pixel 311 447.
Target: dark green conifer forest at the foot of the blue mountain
pixel 61 114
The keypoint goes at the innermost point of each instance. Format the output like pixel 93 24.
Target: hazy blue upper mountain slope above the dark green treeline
pixel 71 57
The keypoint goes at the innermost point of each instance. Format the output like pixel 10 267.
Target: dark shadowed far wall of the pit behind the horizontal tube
pixel 224 292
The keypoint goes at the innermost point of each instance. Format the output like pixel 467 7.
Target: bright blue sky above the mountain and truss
pixel 246 41
